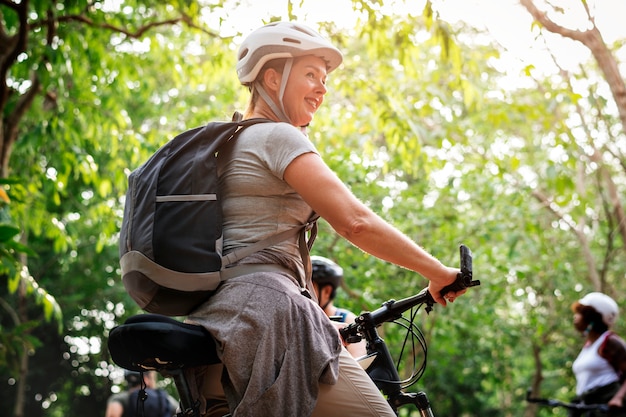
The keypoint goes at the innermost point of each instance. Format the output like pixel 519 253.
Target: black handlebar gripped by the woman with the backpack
pixel 392 309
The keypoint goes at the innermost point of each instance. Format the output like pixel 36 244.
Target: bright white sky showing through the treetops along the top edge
pixel 507 21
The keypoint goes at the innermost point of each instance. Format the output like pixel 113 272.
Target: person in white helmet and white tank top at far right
pixel 600 368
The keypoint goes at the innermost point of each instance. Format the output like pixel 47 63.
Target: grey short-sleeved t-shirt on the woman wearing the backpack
pixel 256 201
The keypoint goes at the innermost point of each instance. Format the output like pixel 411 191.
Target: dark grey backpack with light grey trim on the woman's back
pixel 171 235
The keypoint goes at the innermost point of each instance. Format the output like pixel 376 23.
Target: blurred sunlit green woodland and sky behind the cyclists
pixel 500 124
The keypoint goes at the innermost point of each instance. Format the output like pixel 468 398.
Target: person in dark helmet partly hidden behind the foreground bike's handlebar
pixel 327 277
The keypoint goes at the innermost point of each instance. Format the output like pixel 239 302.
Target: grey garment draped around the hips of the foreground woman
pixel 277 345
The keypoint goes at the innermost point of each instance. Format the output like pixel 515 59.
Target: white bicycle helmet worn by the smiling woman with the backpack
pixel 282 40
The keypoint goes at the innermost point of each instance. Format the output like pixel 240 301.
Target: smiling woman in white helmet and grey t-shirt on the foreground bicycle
pixel 282 355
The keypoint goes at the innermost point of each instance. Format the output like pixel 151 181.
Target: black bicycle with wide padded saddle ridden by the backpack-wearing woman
pixel 154 342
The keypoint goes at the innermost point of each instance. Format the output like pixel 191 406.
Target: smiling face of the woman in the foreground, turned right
pixel 305 89
